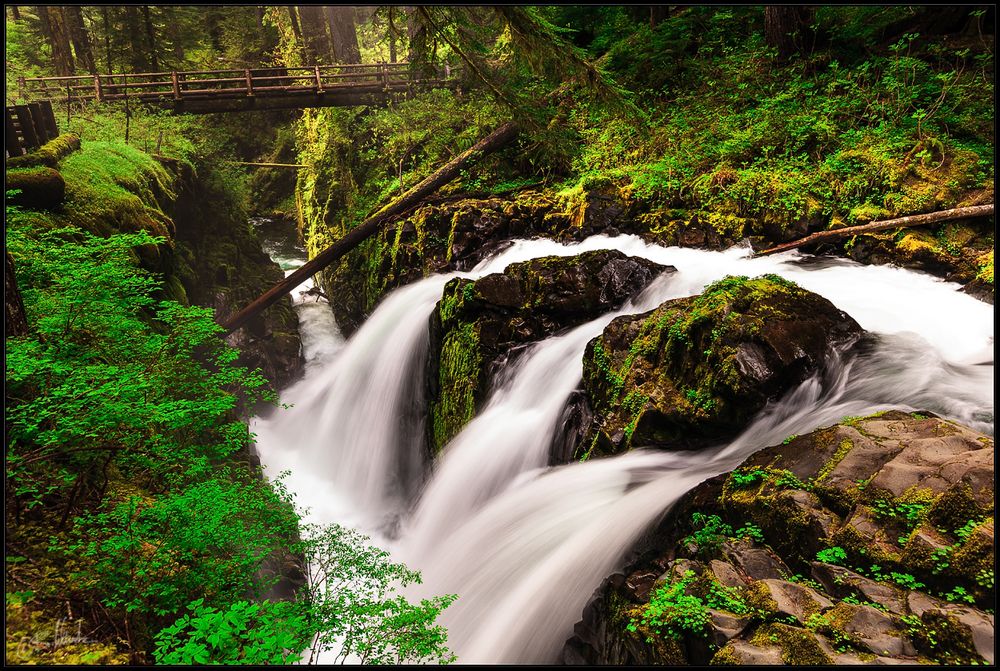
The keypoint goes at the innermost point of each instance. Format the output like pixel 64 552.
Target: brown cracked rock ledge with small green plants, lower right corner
pixel 903 573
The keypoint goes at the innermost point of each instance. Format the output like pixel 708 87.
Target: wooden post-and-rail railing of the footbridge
pixel 248 82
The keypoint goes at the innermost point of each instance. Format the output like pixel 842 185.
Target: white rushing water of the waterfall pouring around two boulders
pixel 524 546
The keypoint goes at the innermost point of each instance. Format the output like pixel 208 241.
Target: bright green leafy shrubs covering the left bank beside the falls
pixel 124 407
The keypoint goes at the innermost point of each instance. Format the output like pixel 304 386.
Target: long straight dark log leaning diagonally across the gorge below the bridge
pixel 492 142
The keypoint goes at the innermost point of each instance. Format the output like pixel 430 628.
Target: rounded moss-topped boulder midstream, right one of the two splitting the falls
pixel 695 370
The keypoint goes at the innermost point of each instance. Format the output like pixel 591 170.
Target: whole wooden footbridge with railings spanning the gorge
pixel 233 90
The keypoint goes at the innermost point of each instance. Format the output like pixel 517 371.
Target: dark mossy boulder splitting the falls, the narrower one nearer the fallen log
pixel 477 324
